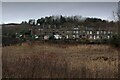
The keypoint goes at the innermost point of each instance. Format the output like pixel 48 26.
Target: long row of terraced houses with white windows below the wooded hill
pixel 76 32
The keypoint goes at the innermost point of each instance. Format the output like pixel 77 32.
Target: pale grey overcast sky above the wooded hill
pixel 20 11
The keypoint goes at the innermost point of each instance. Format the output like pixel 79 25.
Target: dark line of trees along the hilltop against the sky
pixel 70 20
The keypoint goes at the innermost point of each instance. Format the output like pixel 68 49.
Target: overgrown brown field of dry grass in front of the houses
pixel 59 61
